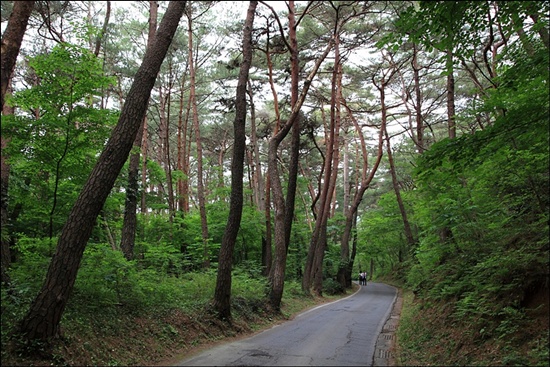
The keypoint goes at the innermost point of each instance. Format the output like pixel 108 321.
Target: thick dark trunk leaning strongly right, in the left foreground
pixel 42 320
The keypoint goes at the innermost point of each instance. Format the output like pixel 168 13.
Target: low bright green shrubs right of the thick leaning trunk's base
pixel 107 279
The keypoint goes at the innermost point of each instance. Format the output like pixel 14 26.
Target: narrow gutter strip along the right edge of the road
pixel 384 350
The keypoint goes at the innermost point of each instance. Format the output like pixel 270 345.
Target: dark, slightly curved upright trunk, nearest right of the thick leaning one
pixel 222 293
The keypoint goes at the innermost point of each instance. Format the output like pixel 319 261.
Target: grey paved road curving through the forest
pixel 340 333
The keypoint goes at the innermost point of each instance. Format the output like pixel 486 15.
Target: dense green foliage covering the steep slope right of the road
pixel 482 208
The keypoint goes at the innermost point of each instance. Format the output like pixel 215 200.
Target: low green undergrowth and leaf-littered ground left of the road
pixel 123 314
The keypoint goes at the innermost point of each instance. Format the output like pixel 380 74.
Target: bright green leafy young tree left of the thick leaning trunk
pixel 54 142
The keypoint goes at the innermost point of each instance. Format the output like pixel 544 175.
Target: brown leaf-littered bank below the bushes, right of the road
pixel 430 336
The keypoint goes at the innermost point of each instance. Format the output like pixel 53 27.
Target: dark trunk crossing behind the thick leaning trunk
pixel 129 225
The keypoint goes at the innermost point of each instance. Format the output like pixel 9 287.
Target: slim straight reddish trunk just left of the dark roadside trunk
pixel 200 178
